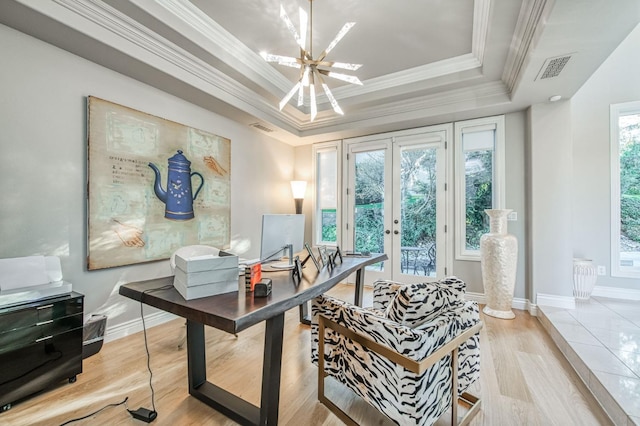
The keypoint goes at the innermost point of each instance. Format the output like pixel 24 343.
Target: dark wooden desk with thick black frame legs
pixel 234 312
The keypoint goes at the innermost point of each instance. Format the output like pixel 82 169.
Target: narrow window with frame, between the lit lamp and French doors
pixel 326 220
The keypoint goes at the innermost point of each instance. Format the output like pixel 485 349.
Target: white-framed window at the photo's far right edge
pixel 625 190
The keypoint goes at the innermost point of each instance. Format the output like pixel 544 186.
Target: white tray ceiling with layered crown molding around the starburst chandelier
pixel 424 62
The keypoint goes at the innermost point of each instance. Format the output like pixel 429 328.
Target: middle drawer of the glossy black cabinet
pixel 24 336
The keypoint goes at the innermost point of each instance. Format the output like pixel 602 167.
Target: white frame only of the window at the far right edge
pixel 616 111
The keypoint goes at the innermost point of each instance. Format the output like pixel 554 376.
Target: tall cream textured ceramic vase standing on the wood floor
pixel 498 258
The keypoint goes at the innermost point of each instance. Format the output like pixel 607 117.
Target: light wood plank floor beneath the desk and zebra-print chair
pixel 524 380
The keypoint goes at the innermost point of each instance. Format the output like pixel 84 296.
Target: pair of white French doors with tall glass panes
pixel 396 204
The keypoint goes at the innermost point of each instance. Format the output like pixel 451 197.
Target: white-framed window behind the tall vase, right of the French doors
pixel 479 177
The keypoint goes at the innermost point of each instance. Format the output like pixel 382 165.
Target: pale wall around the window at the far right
pixel 616 81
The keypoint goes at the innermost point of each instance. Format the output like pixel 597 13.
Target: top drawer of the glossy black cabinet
pixel 27 315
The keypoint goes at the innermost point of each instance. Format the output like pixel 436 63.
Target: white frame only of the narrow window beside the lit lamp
pixel 317 149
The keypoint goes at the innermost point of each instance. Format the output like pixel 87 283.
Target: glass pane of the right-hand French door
pixel 418 211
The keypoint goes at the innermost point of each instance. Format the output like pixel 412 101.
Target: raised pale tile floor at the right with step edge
pixel 601 340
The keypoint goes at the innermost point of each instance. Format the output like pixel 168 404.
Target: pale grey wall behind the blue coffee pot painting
pixel 43 145
